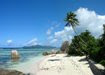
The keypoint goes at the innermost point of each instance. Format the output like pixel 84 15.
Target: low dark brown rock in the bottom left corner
pixel 10 72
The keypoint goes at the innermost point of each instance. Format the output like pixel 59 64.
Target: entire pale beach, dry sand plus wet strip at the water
pixel 61 66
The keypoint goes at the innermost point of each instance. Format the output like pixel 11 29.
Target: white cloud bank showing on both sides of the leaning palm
pixel 88 20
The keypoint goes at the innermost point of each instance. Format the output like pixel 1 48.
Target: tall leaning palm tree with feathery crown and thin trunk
pixel 73 21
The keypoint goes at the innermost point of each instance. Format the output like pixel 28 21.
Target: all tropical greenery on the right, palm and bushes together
pixel 85 43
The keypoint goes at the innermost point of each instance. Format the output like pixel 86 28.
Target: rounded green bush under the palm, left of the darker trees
pixel 79 48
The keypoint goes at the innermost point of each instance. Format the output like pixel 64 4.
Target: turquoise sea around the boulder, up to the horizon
pixel 25 56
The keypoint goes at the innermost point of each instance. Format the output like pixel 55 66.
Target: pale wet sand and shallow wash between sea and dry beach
pixel 29 67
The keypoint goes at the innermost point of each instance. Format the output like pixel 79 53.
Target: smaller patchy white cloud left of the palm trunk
pixel 60 36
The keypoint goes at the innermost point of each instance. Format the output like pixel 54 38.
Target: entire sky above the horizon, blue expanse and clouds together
pixel 32 22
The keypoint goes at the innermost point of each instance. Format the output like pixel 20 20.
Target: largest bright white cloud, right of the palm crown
pixel 90 20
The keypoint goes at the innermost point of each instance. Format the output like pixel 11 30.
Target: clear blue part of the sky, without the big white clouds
pixel 27 21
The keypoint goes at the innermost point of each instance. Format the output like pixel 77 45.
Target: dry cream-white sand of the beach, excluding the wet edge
pixel 64 66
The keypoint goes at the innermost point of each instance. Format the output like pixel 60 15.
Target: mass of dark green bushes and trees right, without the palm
pixel 94 48
